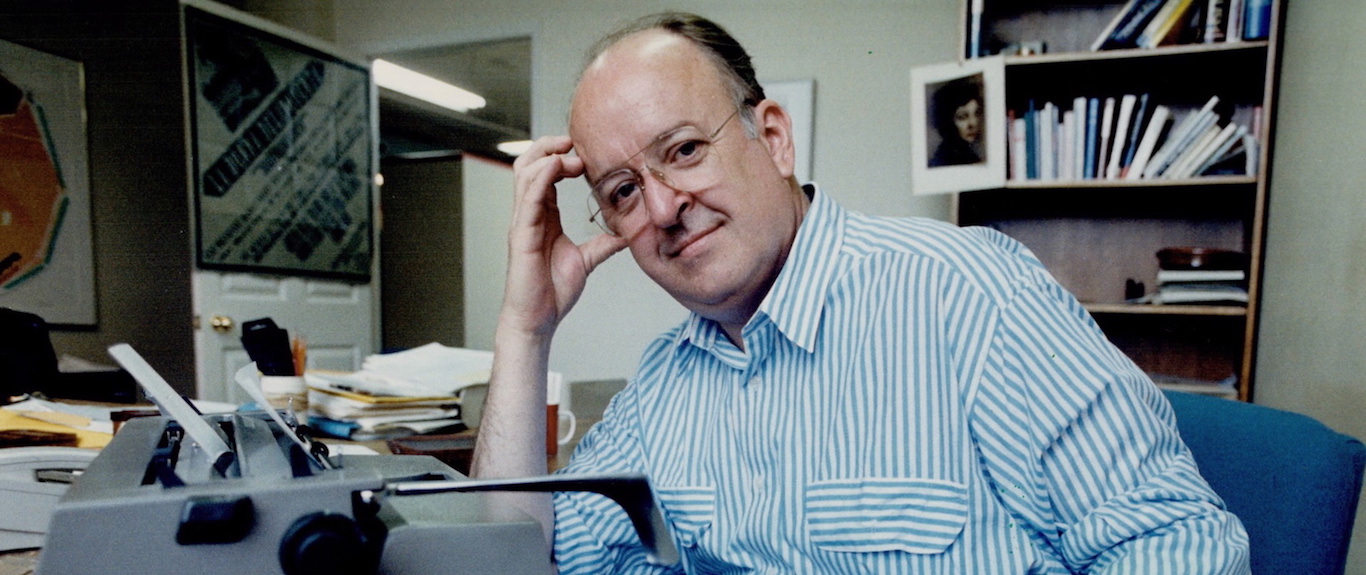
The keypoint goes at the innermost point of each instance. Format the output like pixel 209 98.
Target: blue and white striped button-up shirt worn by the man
pixel 916 398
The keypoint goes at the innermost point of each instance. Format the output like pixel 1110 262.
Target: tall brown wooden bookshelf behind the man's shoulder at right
pixel 1100 236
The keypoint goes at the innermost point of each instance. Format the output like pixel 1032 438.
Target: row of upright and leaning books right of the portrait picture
pixel 1128 139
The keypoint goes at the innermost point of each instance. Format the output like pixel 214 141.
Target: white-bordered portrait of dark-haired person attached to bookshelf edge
pixel 958 126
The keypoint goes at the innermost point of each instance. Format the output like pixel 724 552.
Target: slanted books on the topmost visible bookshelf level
pixel 1151 24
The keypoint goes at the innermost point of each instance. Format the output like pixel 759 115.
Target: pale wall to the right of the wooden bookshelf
pixel 1312 354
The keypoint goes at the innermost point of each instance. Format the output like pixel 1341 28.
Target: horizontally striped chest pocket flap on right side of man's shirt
pixel 886 514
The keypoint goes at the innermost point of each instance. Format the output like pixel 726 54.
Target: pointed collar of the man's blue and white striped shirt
pixel 797 298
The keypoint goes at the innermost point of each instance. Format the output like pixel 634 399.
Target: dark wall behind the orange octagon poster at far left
pixel 137 155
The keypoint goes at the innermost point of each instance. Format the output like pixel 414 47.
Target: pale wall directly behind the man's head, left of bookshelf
pixel 859 53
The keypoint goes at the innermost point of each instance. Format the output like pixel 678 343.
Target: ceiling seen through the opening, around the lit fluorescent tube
pixel 501 72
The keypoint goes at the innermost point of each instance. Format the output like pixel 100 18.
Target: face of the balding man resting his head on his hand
pixel 715 249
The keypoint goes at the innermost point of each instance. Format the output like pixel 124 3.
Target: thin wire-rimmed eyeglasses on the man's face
pixel 681 159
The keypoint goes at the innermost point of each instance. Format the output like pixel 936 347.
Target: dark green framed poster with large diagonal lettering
pixel 282 147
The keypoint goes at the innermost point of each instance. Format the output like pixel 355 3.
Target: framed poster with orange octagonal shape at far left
pixel 47 264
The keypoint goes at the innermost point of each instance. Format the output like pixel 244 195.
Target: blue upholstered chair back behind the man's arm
pixel 1292 480
